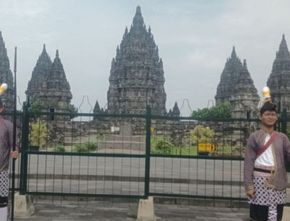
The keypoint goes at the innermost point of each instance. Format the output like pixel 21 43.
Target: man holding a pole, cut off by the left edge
pixel 6 142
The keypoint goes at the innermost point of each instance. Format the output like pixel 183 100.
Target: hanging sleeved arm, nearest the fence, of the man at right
pixel 250 157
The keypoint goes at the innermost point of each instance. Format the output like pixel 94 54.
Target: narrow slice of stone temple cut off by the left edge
pixel 6 76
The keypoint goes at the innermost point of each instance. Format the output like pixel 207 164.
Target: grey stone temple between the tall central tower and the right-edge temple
pixel 237 87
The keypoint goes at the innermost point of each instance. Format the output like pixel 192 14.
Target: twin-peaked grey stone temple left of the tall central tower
pixel 48 85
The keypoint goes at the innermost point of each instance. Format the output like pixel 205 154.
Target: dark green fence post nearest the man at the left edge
pixel 24 148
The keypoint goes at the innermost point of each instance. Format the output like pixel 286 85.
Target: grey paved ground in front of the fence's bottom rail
pixel 117 211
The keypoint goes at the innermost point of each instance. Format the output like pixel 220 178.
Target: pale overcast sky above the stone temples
pixel 195 37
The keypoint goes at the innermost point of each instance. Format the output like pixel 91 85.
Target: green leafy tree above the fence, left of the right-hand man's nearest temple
pixel 220 111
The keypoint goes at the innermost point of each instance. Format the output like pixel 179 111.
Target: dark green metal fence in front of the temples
pixel 132 156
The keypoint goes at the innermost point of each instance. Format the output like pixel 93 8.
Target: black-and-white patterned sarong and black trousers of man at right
pixel 267 201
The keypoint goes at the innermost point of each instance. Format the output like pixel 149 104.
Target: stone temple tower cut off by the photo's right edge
pixel 279 79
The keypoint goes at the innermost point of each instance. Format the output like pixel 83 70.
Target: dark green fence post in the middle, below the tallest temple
pixel 147 152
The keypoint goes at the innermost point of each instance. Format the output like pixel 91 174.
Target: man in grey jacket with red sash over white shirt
pixel 265 175
